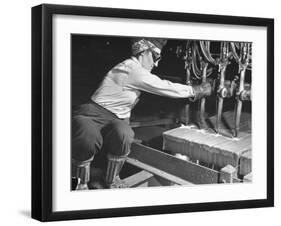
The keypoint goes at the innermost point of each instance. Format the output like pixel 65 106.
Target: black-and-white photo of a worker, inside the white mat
pixel 152 112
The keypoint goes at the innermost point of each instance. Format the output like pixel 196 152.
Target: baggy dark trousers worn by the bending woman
pixel 95 129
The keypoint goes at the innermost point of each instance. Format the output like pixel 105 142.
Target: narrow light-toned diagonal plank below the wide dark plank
pixel 157 172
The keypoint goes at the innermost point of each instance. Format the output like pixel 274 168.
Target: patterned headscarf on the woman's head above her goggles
pixel 140 45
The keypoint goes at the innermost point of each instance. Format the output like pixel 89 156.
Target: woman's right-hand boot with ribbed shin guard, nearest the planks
pixel 114 166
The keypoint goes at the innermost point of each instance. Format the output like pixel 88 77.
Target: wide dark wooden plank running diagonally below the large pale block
pixel 169 164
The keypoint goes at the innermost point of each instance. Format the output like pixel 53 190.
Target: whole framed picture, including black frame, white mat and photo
pixel 139 112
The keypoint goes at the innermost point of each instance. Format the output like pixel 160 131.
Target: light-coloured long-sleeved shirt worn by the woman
pixel 121 87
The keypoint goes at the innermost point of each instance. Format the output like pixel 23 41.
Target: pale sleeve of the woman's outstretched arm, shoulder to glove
pixel 143 80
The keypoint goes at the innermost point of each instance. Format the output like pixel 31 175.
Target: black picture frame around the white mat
pixel 42 108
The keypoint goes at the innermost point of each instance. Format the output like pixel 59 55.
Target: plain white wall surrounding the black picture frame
pixel 15 93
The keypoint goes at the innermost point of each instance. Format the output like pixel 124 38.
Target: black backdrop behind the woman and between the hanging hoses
pixel 93 56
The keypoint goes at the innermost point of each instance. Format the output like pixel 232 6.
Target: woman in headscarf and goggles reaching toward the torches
pixel 103 122
